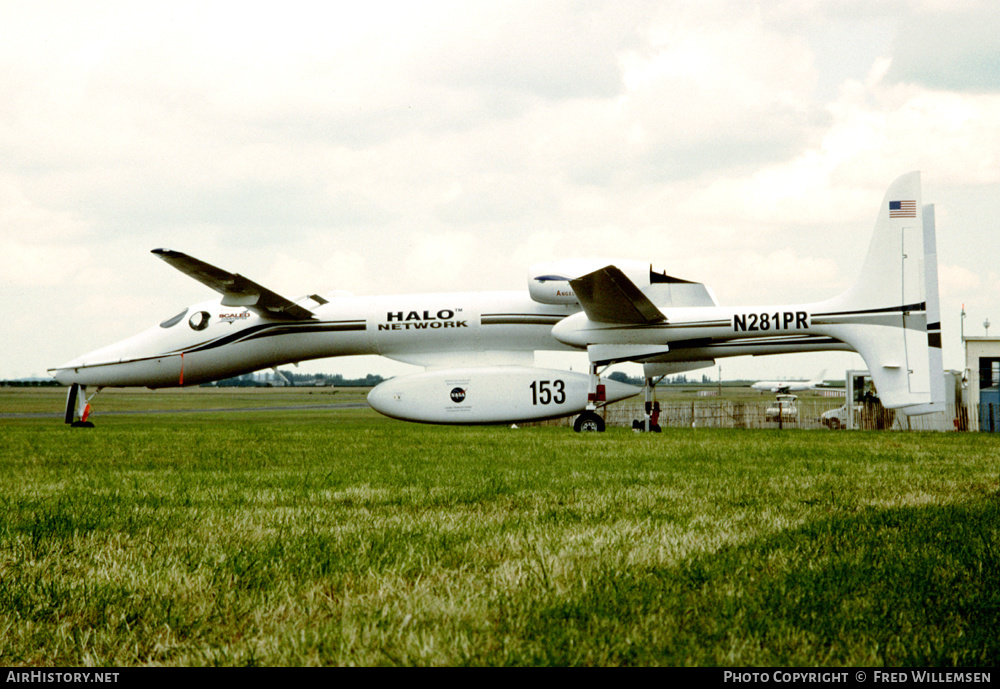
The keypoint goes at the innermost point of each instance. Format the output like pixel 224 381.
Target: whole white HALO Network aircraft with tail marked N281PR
pixel 478 348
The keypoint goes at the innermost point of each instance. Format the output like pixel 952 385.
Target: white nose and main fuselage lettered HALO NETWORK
pixel 210 341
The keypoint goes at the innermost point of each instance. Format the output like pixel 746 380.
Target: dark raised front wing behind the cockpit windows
pixel 235 289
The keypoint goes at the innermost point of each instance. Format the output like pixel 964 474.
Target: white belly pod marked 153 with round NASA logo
pixel 483 395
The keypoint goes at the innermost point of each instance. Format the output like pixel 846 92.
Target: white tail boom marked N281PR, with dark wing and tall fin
pixel 891 316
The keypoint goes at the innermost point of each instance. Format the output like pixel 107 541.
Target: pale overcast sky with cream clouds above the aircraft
pixel 392 147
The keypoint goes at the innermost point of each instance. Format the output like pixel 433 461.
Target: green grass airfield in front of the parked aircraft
pixel 335 536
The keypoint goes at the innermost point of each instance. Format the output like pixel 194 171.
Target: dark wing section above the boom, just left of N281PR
pixel 608 296
